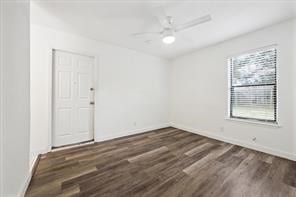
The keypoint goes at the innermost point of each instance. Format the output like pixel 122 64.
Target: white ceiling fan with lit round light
pixel 168 33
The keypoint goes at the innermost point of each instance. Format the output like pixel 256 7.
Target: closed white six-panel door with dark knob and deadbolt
pixel 73 98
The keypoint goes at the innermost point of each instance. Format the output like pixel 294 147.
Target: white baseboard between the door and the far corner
pixel 131 132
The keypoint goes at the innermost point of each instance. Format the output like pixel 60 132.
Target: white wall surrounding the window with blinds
pixel 199 92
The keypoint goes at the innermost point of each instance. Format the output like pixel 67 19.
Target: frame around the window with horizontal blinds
pixel 276 89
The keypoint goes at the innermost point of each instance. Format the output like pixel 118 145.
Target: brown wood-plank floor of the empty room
pixel 166 162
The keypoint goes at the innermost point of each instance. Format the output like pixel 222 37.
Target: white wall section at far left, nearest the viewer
pixel 15 93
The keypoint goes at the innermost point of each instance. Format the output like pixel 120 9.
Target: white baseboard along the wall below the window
pixel 256 147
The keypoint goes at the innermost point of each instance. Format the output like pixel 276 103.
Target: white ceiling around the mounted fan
pixel 114 21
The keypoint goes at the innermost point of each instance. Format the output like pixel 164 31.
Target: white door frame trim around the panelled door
pixel 50 89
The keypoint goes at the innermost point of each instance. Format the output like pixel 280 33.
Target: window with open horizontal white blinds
pixel 253 87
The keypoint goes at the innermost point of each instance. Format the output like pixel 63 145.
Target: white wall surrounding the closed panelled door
pixel 131 87
